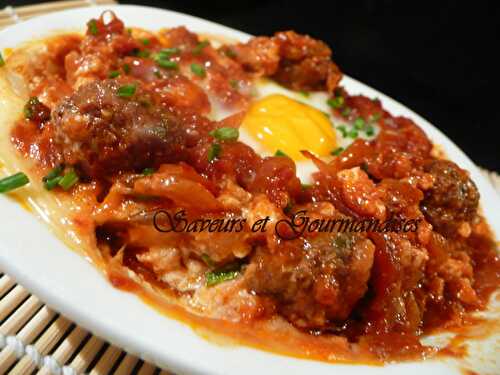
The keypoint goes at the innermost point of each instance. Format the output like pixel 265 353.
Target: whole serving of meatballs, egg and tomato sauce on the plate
pixel 103 131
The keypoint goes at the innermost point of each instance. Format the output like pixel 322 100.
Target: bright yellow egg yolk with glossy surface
pixel 281 123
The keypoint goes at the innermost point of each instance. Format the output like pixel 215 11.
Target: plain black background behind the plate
pixel 437 58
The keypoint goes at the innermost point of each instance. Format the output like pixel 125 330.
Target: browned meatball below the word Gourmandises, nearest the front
pixel 315 281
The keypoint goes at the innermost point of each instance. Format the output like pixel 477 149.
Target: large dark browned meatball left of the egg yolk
pixel 108 126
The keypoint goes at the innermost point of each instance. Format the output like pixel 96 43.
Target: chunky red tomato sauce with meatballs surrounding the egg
pixel 418 282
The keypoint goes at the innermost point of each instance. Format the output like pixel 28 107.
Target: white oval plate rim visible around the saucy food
pixel 72 286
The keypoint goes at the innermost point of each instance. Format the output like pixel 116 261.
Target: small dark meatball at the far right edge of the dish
pixel 453 198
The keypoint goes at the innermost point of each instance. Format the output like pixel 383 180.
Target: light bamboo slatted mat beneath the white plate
pixel 36 339
